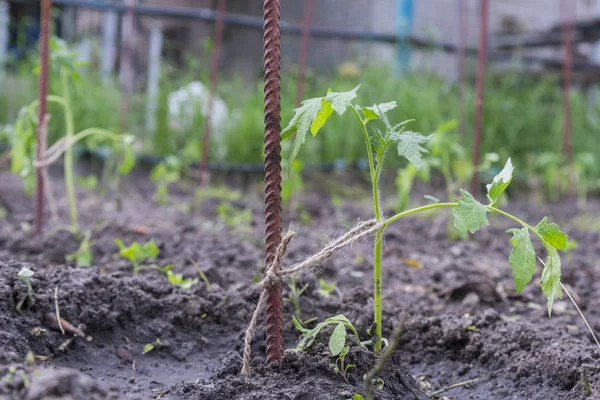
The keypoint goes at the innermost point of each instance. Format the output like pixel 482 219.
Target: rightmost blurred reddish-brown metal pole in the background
pixel 567 32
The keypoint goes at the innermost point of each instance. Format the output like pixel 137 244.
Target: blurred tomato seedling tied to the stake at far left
pixel 23 140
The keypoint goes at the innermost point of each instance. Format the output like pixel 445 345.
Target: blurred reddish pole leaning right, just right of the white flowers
pixel 214 78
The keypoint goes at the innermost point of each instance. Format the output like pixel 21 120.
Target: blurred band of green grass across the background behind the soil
pixel 522 116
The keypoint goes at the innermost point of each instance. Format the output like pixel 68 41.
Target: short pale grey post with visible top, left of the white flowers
pixel 154 56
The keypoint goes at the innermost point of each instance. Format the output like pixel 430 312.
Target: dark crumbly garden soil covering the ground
pixel 468 336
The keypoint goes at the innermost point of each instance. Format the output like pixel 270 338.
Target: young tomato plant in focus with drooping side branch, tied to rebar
pixel 469 214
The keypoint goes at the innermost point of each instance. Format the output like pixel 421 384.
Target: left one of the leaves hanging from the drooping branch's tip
pixel 522 257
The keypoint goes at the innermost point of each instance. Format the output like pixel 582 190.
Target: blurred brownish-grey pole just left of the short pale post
pixel 126 74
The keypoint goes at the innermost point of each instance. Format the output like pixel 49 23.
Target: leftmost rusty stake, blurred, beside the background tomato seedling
pixel 42 94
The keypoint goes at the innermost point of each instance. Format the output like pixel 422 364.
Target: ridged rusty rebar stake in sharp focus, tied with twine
pixel 272 66
